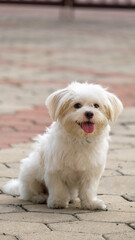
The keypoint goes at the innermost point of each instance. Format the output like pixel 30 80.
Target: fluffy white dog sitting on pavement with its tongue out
pixel 69 159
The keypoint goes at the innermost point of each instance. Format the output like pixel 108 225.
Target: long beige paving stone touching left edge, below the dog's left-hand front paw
pixel 37 217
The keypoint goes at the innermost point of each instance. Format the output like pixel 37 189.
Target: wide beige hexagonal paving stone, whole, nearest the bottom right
pixel 90 227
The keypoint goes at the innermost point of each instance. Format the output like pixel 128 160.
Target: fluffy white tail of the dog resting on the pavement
pixel 11 187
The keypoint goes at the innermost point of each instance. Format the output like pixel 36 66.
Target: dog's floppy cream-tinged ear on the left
pixel 58 102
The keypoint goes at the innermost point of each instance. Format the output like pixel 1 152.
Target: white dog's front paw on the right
pixel 97 204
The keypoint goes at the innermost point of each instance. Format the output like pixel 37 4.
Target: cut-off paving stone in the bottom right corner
pixel 118 236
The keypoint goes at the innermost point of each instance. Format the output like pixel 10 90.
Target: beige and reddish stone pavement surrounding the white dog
pixel 40 51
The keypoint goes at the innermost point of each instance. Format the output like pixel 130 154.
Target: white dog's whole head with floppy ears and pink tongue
pixel 83 109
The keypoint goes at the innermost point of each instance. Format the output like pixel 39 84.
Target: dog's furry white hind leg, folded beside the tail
pixel 30 178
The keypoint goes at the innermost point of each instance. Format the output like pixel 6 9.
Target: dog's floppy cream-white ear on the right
pixel 114 107
